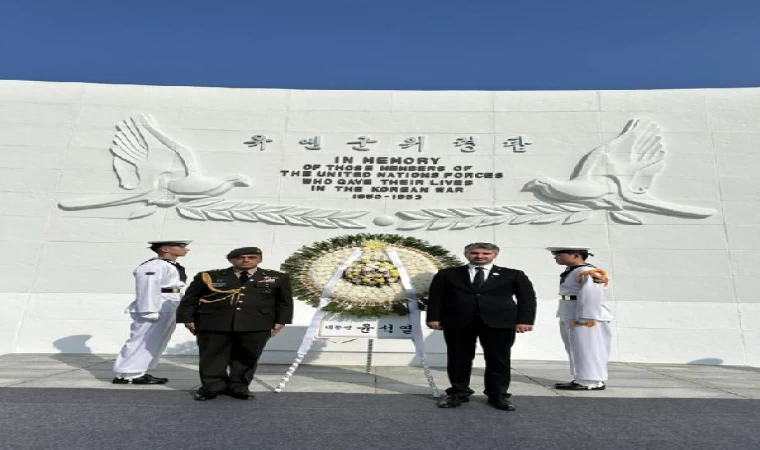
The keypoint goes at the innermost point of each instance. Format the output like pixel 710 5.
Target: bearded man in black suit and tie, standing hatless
pixel 477 301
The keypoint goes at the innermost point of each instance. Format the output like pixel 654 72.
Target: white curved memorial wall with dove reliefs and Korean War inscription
pixel 663 185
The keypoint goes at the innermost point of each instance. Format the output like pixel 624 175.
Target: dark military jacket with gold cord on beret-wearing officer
pixel 259 304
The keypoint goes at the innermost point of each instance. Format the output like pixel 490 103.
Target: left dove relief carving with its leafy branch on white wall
pixel 135 144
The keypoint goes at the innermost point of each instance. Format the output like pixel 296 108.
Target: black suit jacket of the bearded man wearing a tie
pixel 455 302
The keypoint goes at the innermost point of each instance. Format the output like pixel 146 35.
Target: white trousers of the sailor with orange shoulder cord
pixel 588 349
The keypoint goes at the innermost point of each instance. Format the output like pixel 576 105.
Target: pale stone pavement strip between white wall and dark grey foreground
pixel 530 378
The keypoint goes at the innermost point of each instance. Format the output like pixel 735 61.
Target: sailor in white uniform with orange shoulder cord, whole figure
pixel 583 320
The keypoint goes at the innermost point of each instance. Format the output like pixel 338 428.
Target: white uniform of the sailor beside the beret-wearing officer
pixel 148 338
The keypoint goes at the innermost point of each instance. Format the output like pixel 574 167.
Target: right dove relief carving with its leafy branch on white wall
pixel 631 161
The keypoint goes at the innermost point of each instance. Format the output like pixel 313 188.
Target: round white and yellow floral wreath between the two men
pixel 371 285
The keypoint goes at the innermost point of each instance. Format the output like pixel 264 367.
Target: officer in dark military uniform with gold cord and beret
pixel 232 313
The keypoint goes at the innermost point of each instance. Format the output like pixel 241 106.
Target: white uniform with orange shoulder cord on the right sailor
pixel 587 347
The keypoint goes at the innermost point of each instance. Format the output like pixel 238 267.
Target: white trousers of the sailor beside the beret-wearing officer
pixel 147 341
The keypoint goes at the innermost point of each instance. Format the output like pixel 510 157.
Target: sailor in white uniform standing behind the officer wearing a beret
pixel 158 283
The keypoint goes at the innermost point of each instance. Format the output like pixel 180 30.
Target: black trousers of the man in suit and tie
pixel 460 350
